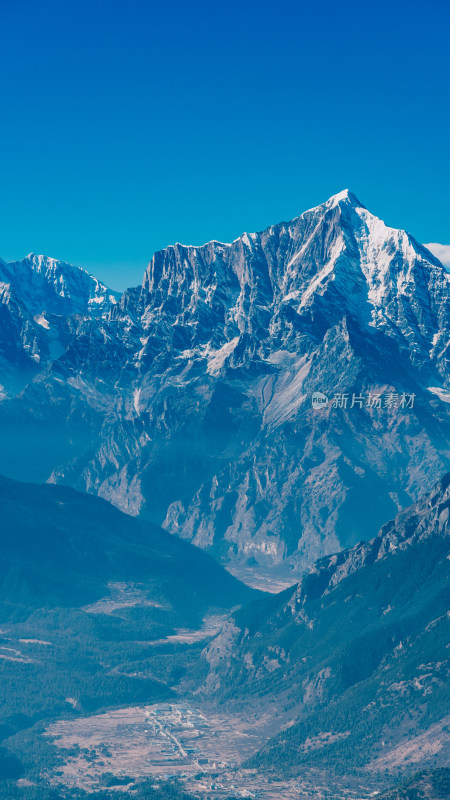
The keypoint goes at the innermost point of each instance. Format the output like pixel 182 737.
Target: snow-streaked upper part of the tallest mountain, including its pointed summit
pixel 337 256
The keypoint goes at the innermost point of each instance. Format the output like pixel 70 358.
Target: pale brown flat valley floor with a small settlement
pixel 192 742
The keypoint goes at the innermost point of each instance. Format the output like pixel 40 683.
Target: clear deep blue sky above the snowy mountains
pixel 127 126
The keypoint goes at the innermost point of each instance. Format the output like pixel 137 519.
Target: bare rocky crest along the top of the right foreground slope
pixel 300 607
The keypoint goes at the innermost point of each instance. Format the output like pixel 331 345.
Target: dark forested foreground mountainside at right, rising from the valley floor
pixel 358 651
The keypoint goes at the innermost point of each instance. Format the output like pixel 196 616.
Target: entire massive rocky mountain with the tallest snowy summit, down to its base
pixel 189 400
